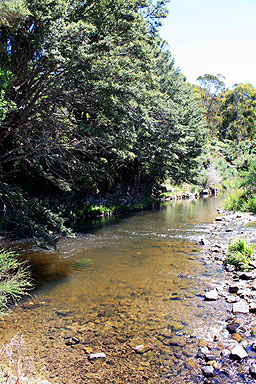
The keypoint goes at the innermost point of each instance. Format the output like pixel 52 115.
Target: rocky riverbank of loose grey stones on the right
pixel 230 354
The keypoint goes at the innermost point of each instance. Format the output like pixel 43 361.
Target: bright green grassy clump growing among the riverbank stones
pixel 239 254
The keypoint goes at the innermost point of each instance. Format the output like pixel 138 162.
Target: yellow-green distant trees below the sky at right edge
pixel 230 113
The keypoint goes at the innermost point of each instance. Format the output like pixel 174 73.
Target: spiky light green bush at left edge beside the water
pixel 14 279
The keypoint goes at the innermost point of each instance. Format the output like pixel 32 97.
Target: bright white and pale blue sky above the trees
pixel 213 36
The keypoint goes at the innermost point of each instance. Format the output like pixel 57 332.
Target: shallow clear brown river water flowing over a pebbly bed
pixel 138 280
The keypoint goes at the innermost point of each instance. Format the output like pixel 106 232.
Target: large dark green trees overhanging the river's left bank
pixel 90 99
